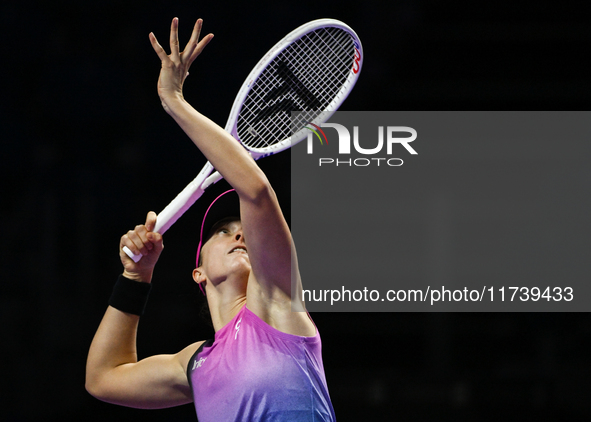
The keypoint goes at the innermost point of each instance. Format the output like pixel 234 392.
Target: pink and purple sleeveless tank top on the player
pixel 253 372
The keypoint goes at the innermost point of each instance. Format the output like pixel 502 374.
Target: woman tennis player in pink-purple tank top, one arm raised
pixel 265 361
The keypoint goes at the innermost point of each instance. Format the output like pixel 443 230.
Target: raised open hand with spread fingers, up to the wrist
pixel 175 67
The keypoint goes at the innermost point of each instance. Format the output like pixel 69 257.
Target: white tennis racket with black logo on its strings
pixel 311 71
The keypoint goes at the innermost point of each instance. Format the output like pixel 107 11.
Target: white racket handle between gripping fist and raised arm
pixel 179 205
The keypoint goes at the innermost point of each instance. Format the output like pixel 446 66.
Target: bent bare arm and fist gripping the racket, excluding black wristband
pixel 113 372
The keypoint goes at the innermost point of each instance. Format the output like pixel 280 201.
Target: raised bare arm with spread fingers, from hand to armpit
pixel 266 233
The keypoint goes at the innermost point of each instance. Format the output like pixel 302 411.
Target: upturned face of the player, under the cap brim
pixel 225 253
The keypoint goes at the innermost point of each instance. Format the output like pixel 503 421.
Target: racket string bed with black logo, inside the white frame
pixel 306 77
